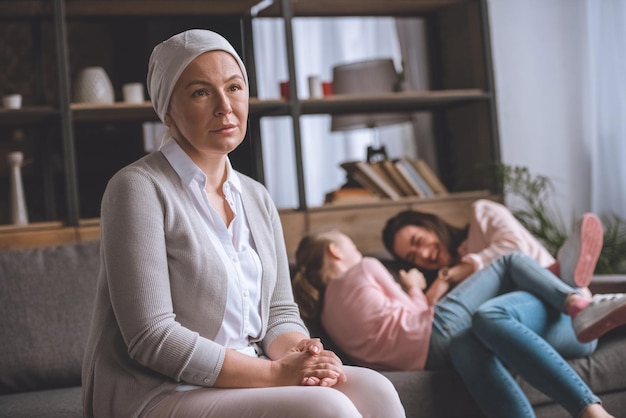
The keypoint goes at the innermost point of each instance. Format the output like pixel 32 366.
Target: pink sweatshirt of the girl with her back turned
pixel 373 320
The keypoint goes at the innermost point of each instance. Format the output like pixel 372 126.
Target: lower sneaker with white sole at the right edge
pixel 605 312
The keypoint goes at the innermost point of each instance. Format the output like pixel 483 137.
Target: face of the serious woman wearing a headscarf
pixel 208 112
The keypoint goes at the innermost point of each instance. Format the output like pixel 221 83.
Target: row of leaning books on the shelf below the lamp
pixel 393 179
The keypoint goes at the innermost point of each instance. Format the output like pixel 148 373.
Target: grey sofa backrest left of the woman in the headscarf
pixel 46 298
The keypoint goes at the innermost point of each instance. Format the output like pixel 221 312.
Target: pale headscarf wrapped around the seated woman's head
pixel 171 57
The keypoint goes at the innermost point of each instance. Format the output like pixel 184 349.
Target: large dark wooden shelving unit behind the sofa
pixel 461 100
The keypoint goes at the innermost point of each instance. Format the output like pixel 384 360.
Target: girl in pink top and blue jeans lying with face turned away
pixel 512 311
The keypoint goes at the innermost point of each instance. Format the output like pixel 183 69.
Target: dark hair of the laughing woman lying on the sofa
pixel 449 235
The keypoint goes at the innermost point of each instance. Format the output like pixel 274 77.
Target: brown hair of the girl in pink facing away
pixel 308 282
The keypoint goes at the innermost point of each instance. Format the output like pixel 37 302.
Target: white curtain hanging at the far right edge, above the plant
pixel 605 121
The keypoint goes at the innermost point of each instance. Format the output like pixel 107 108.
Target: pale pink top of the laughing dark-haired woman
pixel 494 232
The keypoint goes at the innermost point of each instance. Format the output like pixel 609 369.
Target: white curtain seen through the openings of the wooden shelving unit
pixel 320 43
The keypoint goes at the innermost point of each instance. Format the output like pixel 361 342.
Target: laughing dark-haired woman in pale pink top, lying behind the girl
pixel 439 249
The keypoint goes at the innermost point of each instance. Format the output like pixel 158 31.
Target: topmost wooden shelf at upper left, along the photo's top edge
pixel 127 8
